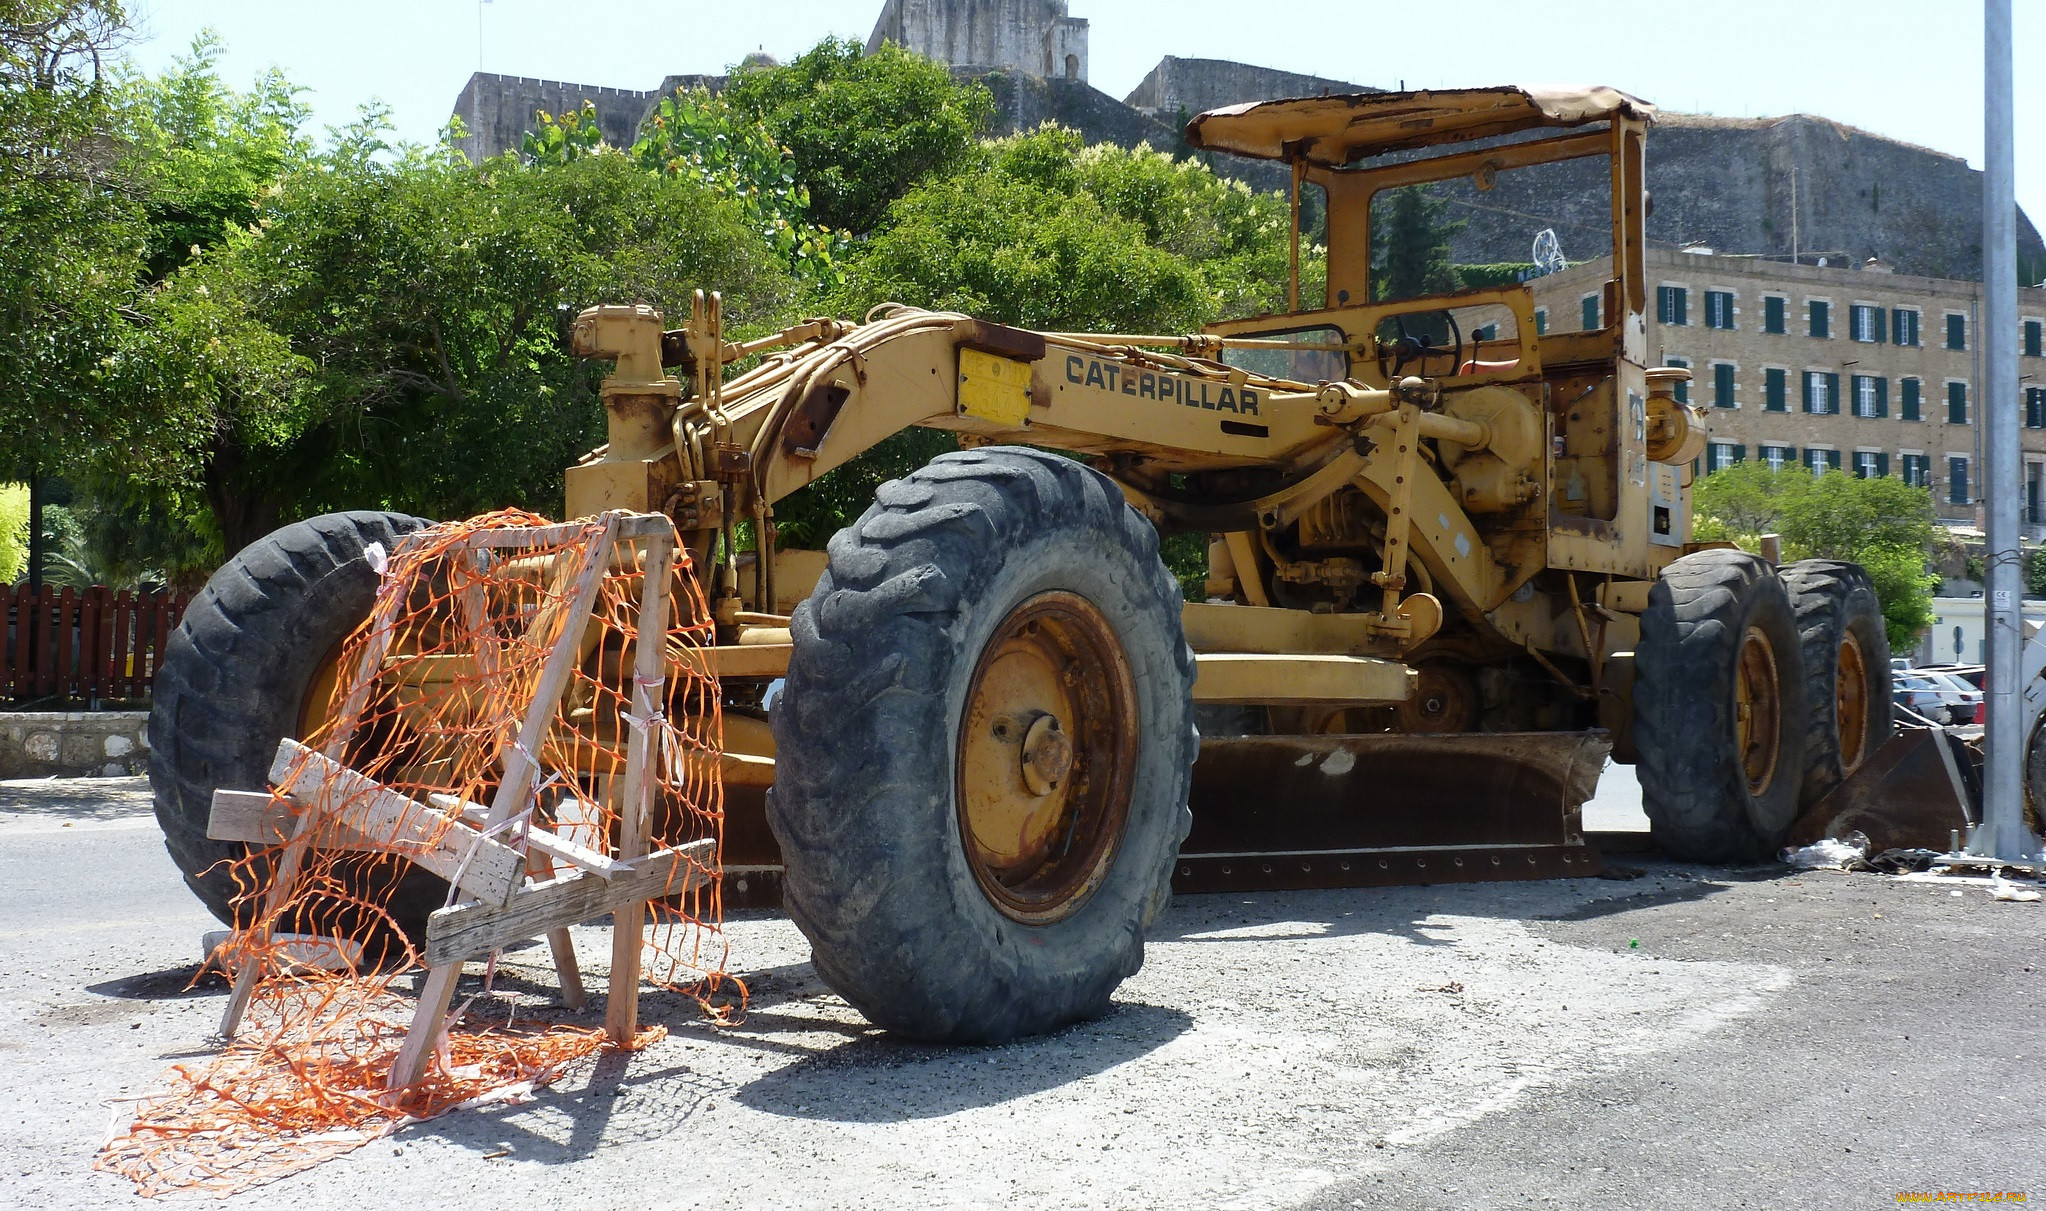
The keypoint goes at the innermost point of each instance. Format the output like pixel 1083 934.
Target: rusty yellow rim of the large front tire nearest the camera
pixel 1047 756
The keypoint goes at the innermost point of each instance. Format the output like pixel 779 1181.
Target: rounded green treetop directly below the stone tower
pixel 862 130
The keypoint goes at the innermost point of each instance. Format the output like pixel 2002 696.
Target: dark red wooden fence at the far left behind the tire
pixel 79 647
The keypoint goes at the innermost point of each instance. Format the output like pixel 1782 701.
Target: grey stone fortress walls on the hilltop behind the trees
pixel 1724 183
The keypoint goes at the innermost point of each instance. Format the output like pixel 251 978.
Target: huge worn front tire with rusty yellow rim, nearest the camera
pixel 985 748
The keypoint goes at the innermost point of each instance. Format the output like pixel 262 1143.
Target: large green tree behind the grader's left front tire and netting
pixel 388 332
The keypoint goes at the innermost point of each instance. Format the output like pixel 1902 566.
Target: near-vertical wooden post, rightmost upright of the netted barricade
pixel 650 662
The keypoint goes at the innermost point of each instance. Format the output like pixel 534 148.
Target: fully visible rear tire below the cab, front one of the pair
pixel 1720 709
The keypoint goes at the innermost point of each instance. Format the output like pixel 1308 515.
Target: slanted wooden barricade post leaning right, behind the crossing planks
pixel 519 764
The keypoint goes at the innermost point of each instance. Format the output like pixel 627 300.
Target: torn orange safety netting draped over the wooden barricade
pixel 465 625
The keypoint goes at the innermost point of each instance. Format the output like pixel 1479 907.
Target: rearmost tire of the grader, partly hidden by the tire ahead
pixel 1847 670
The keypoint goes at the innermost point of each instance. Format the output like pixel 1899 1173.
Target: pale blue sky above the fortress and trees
pixel 1908 71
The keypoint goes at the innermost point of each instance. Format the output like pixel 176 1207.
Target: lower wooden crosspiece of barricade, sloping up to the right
pixel 478 930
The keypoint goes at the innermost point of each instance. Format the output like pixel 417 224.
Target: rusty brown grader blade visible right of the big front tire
pixel 1280 813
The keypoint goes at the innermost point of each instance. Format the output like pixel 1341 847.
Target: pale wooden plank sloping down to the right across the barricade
pixel 404 825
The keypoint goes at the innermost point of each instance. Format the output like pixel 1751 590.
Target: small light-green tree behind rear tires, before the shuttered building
pixel 1883 525
